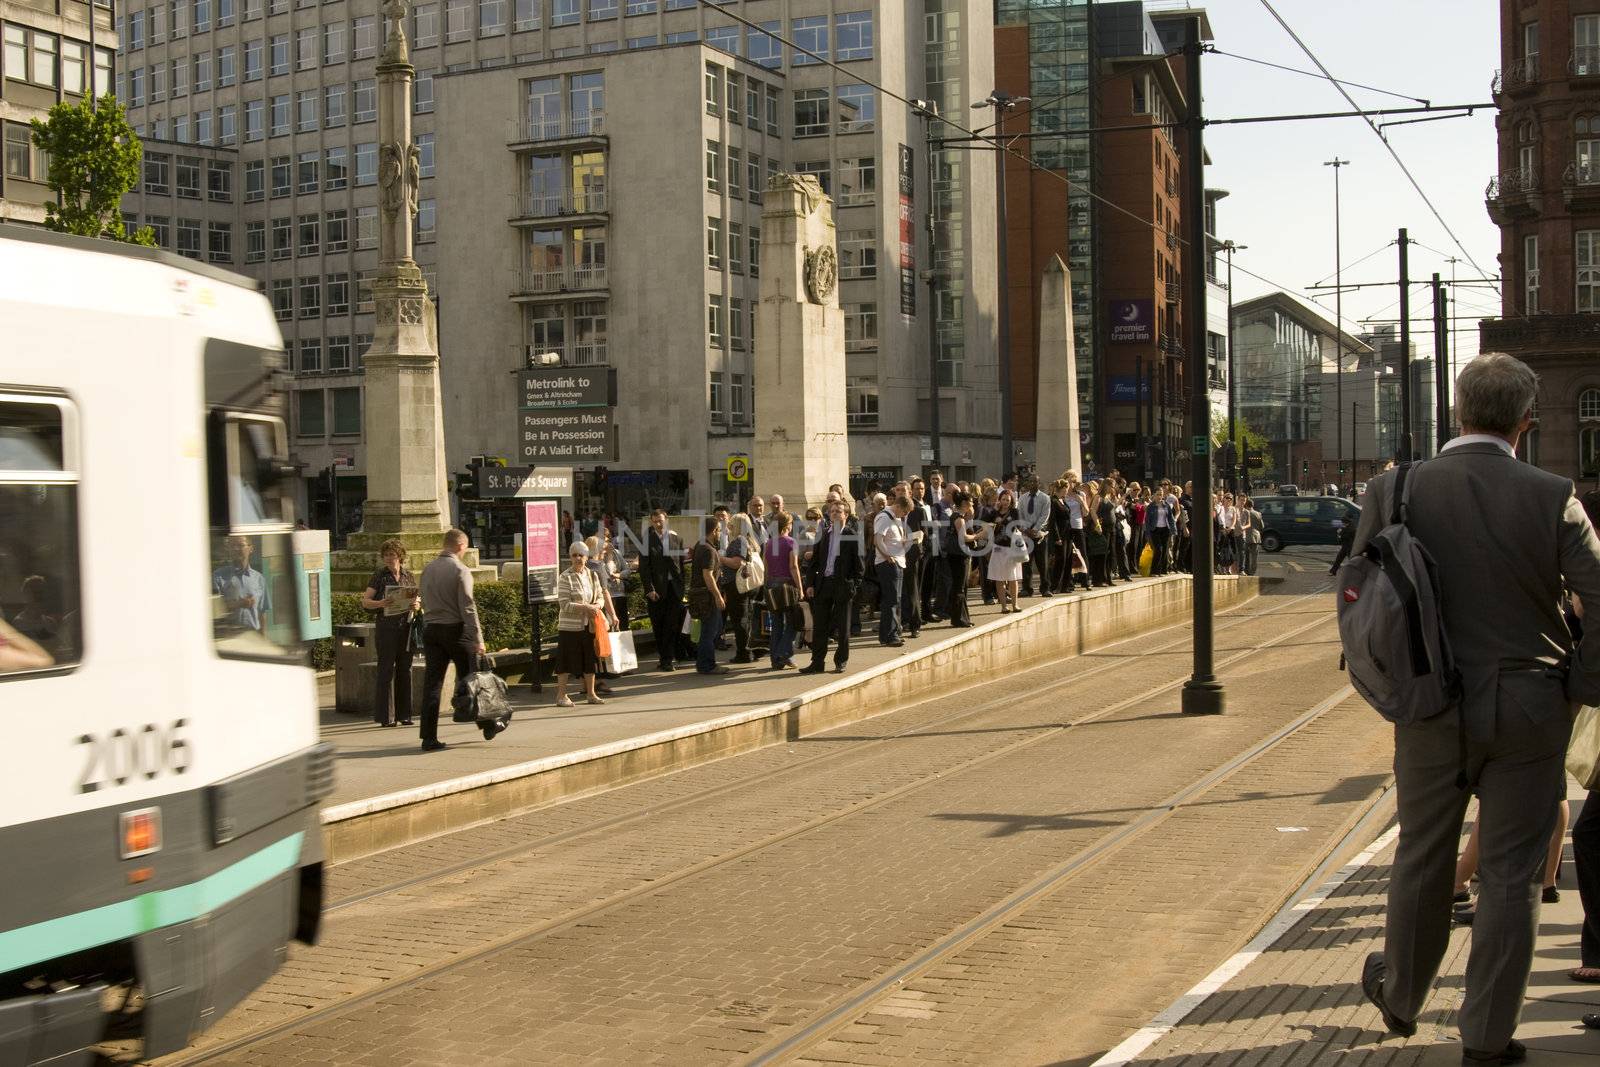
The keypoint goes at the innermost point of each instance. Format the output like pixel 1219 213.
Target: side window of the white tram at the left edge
pixel 41 605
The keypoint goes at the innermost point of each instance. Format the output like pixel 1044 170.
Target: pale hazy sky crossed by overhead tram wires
pixel 1282 196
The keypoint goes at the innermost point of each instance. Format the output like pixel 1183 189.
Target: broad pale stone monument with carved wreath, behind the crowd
pixel 801 438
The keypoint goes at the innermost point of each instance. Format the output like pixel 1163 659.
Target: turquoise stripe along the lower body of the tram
pixel 150 911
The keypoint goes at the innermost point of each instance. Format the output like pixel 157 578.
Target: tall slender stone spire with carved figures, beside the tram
pixel 407 494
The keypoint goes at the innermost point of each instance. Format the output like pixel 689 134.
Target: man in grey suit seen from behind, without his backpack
pixel 1506 537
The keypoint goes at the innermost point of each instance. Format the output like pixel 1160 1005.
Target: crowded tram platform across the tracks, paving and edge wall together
pixel 390 793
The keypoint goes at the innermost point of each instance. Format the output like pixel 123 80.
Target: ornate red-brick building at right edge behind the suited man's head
pixel 1546 202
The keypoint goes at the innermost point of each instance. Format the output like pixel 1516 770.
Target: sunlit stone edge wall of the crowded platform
pixel 1046 631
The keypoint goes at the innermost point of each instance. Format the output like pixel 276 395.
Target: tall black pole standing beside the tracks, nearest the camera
pixel 1202 693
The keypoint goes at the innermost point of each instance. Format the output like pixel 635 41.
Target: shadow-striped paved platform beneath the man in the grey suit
pixel 1292 997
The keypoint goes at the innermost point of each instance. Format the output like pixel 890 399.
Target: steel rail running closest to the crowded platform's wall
pixel 1236 618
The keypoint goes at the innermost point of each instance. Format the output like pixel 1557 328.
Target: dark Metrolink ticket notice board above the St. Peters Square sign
pixel 567 414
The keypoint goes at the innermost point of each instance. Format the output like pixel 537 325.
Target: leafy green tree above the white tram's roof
pixel 94 161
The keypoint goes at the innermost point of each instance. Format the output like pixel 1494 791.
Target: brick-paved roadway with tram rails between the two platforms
pixel 719 914
